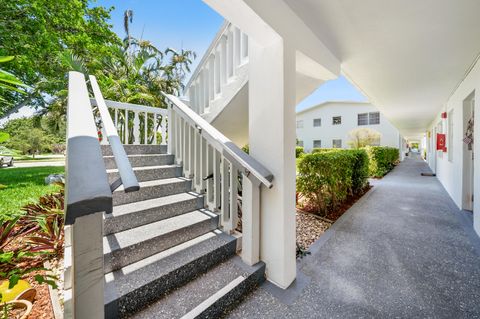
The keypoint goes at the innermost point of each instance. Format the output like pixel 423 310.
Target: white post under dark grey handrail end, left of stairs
pixel 88 277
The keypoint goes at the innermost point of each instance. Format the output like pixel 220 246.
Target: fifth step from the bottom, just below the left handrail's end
pixel 152 189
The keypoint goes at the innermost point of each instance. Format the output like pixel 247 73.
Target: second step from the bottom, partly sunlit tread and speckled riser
pixel 137 285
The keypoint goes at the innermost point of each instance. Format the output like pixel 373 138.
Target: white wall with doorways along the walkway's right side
pixel 450 172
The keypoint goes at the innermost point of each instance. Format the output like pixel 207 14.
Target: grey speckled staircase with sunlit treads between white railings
pixel 164 256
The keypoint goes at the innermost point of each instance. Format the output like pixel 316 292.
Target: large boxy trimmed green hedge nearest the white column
pixel 327 177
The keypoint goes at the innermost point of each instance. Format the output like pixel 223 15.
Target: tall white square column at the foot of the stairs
pixel 272 142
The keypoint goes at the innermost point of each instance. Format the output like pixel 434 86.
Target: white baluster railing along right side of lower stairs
pixel 213 163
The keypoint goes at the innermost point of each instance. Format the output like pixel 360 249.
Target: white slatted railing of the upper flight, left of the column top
pixel 222 70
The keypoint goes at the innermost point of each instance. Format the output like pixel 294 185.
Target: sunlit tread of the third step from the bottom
pixel 146 232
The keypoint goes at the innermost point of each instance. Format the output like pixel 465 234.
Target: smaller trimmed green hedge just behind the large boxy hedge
pixel 382 159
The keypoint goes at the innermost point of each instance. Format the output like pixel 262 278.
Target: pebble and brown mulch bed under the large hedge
pixel 311 226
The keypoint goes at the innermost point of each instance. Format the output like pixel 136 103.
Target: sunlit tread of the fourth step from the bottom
pixel 136 207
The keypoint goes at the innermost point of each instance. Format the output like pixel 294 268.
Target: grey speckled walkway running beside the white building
pixel 403 251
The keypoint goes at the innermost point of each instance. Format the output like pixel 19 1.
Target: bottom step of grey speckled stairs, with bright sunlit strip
pixel 211 295
